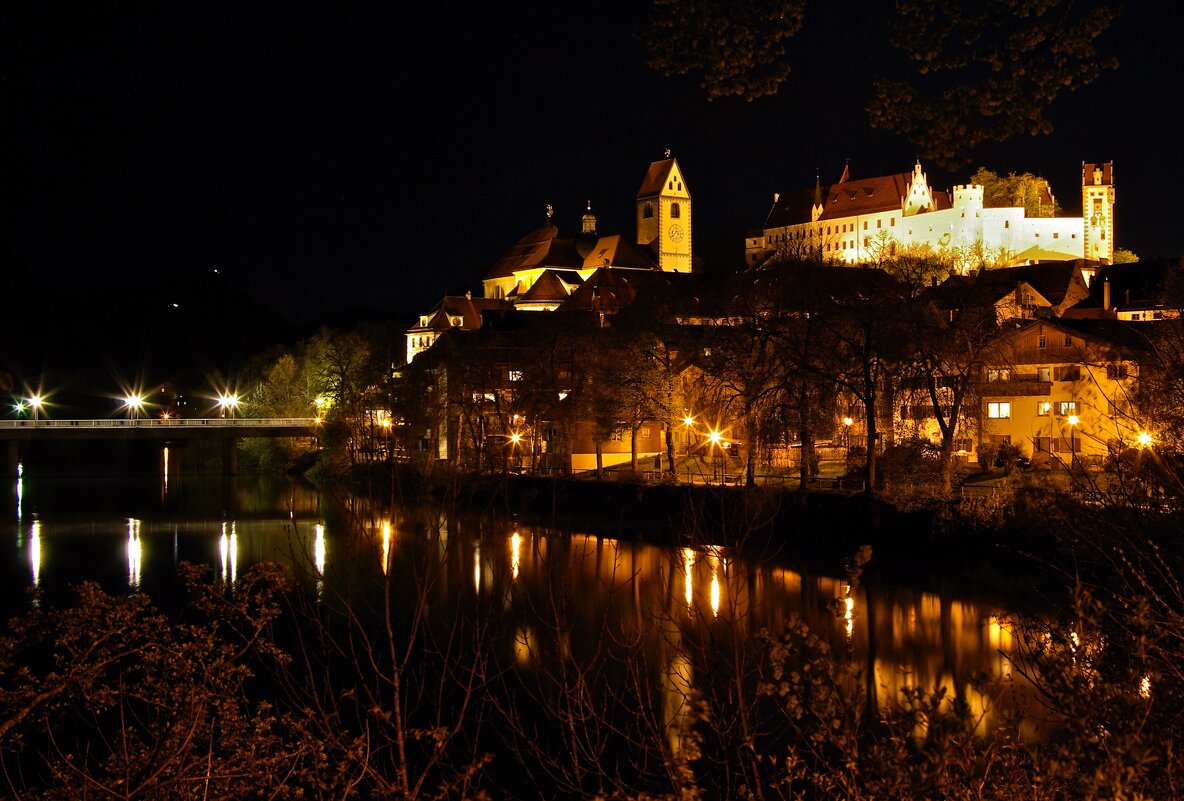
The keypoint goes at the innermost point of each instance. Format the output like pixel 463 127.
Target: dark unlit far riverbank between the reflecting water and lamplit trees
pixel 966 542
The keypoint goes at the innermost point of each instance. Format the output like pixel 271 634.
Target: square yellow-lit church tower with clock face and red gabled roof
pixel 664 216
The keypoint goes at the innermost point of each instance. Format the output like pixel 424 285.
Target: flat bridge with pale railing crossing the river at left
pixel 228 430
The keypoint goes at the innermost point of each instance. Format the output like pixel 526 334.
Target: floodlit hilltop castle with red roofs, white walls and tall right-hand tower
pixel 865 221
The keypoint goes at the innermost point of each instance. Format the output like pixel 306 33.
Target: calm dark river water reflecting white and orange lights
pixel 130 534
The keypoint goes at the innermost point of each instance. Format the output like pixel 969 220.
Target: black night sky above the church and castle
pixel 325 158
